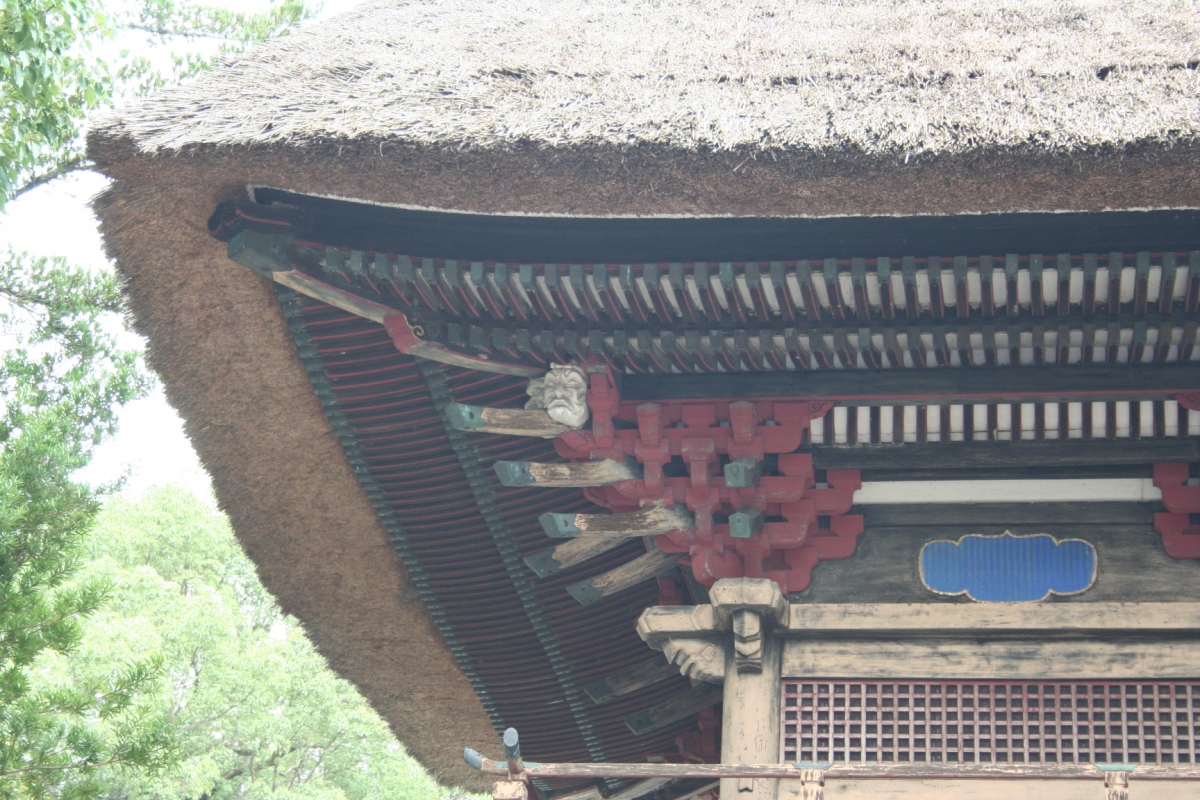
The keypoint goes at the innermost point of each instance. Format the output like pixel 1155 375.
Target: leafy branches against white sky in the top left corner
pixel 52 75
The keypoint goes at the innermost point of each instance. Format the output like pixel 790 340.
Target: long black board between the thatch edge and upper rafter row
pixel 604 240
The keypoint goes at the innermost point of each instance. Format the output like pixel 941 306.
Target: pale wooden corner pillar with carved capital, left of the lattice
pixel 752 610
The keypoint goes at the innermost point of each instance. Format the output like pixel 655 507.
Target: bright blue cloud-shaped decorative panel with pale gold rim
pixel 1007 568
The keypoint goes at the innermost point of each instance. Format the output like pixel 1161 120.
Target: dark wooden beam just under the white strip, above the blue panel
pixel 1007 514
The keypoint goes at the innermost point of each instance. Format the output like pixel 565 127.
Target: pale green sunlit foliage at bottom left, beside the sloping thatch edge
pixel 257 714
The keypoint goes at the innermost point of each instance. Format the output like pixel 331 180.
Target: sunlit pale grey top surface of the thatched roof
pixel 887 80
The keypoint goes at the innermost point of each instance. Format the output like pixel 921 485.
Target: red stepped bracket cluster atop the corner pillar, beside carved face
pixel 699 436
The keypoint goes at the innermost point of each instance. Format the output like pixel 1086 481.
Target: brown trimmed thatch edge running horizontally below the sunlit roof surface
pixel 647 182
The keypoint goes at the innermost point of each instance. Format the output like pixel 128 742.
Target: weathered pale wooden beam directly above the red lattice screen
pixel 995 660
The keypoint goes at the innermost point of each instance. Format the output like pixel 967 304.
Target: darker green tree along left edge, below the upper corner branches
pixel 62 378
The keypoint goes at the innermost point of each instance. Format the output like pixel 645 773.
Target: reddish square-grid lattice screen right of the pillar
pixel 842 720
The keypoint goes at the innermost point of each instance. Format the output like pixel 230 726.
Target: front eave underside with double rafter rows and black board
pixel 778 296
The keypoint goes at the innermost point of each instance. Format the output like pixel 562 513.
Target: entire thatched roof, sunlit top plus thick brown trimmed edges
pixel 628 109
